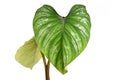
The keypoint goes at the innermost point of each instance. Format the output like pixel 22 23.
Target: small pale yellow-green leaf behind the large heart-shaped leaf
pixel 28 54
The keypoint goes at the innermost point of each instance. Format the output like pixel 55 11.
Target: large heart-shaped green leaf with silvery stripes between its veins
pixel 61 39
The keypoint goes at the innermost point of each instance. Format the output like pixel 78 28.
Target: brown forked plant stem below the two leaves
pixel 46 67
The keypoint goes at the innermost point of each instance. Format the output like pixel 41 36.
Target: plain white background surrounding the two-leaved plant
pixel 99 61
